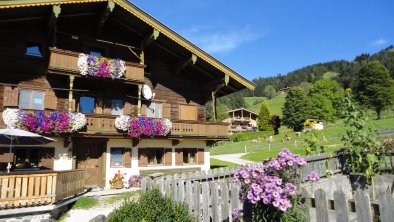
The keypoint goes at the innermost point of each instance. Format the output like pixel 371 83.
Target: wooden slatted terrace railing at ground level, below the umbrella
pixel 26 189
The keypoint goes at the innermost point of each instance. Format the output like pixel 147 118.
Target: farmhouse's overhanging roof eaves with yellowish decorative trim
pixel 186 57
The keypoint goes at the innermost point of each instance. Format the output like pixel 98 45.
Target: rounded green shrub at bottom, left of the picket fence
pixel 151 207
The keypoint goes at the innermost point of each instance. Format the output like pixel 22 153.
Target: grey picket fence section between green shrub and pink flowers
pixel 207 201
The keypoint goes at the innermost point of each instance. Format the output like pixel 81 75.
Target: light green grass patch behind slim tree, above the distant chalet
pixel 275 104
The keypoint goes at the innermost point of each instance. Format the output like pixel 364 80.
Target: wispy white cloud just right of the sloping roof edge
pixel 219 41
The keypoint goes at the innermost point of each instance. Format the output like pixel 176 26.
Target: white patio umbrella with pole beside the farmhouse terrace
pixel 21 137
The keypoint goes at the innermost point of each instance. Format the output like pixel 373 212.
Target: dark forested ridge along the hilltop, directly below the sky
pixel 344 73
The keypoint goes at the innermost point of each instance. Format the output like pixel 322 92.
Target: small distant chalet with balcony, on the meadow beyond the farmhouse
pixel 241 120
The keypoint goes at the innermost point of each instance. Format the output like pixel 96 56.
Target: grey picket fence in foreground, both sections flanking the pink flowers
pixel 215 200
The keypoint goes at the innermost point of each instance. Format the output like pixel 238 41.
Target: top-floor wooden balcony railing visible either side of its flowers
pixel 66 62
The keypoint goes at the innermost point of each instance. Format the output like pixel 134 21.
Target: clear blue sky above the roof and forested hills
pixel 264 38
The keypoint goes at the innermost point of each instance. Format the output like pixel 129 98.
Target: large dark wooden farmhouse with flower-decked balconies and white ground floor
pixel 116 89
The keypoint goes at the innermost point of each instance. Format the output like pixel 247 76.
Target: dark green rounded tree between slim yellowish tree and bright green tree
pixel 296 109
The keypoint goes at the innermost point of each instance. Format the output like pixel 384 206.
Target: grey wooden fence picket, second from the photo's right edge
pixel 363 206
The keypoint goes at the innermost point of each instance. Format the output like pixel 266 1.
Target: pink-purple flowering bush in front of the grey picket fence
pixel 271 189
